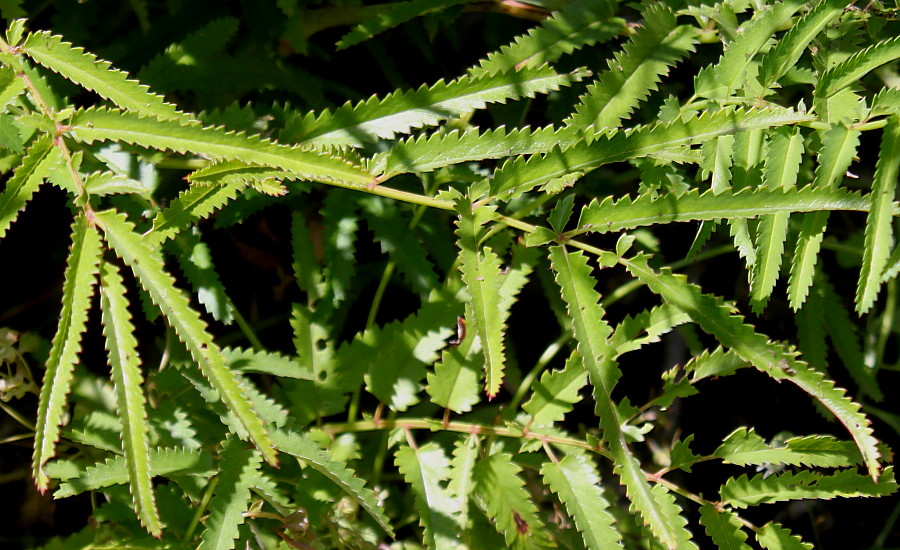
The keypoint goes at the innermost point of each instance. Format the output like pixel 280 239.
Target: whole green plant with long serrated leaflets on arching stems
pixel 487 451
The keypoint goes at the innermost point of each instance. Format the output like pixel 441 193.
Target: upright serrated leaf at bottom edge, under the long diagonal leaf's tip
pixel 237 474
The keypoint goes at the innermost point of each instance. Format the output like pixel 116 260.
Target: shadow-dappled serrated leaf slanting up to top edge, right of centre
pixel 574 26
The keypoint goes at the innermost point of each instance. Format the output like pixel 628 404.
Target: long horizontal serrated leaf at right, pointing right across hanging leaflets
pixel 651 209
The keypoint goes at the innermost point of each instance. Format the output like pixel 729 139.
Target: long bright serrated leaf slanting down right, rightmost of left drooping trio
pixel 189 327
